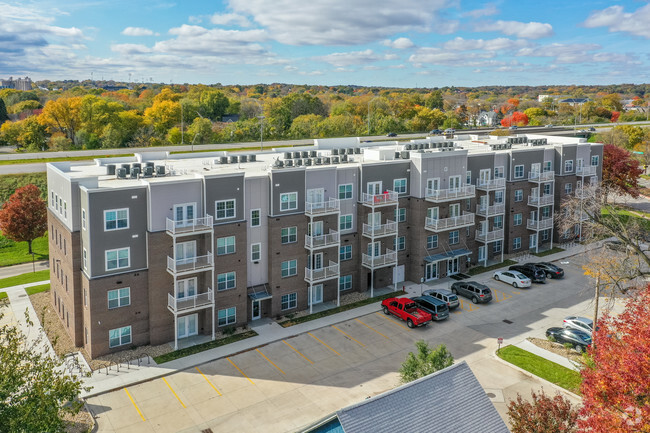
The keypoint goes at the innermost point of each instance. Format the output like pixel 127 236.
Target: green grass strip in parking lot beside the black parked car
pixel 554 373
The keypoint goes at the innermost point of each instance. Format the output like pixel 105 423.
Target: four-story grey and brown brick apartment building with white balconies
pixel 156 248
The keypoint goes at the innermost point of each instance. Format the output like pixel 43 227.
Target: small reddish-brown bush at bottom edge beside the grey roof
pixel 544 415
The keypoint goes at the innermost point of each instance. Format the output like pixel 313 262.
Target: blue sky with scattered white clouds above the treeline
pixel 388 43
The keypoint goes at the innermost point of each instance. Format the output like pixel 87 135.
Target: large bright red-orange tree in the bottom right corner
pixel 616 384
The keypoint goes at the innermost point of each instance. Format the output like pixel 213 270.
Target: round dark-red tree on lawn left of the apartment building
pixel 23 217
